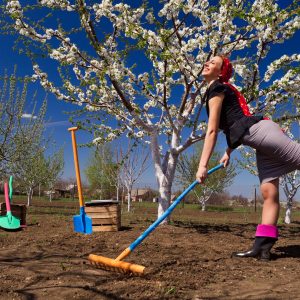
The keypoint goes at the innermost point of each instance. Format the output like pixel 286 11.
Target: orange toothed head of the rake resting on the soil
pixel 115 265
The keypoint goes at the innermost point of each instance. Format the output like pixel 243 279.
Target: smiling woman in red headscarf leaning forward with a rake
pixel 276 153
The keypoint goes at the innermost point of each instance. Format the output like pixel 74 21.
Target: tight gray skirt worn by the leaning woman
pixel 276 153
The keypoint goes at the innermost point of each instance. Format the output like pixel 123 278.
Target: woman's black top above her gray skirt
pixel 233 121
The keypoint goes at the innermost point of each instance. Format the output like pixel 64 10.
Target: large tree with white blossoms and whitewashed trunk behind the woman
pixel 139 64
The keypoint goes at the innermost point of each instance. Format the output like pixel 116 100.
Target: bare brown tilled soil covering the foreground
pixel 189 259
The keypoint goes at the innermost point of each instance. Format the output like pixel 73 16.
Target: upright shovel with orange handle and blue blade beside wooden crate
pixel 82 223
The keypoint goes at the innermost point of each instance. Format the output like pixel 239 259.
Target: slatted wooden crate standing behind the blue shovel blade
pixel 105 214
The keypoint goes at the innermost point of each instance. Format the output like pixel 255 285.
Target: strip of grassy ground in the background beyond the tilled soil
pixel 147 212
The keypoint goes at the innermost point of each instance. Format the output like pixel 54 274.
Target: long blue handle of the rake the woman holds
pixel 168 211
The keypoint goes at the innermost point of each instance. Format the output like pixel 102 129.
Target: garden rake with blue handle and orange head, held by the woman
pixel 125 267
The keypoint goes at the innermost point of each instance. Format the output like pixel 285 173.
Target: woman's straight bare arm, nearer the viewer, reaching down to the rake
pixel 215 106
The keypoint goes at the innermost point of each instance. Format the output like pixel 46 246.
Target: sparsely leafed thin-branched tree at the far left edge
pixel 18 130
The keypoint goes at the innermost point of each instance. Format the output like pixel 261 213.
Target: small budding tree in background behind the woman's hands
pixel 215 183
